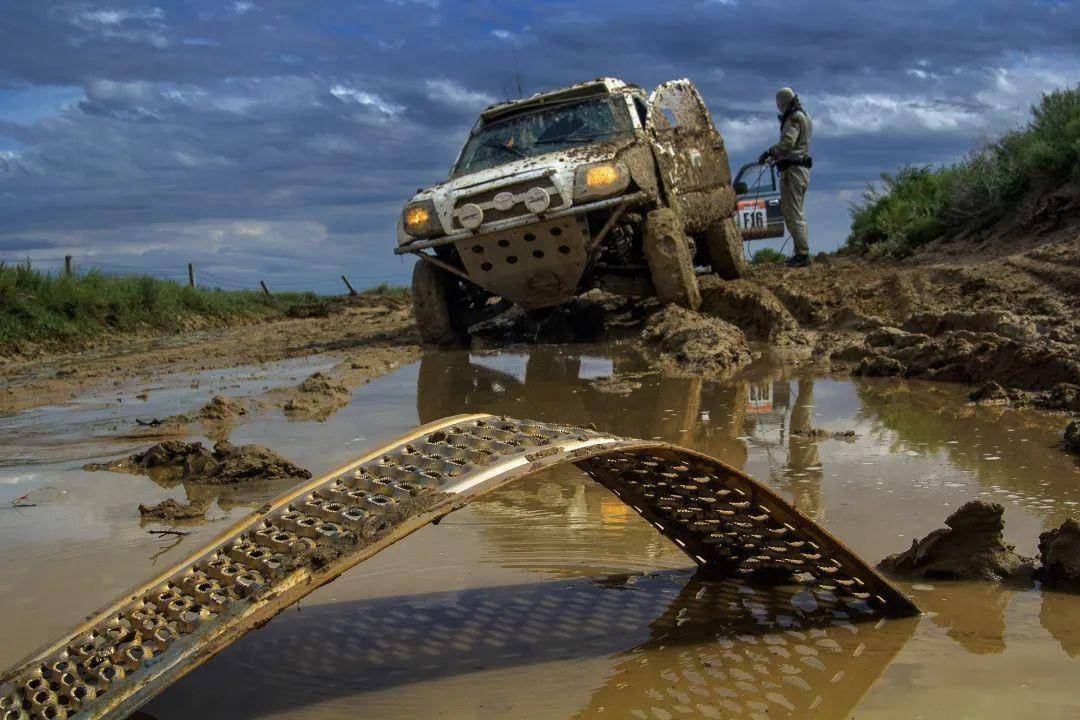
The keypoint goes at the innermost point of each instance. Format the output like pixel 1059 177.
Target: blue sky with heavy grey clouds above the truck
pixel 278 139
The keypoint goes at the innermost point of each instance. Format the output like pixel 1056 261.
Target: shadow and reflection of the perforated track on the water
pixel 663 645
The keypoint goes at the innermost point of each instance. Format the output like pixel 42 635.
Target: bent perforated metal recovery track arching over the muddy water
pixel 157 633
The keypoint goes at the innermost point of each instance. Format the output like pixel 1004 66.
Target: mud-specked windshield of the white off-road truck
pixel 569 126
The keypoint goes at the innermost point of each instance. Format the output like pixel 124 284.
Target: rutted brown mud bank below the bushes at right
pixel 1019 328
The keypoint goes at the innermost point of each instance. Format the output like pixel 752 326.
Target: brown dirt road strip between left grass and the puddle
pixel 381 327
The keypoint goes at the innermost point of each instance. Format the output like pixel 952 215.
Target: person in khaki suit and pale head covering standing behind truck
pixel 792 158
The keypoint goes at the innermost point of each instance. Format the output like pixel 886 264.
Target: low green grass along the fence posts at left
pixel 58 311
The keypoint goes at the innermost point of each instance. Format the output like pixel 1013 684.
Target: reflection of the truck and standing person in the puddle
pixel 718 418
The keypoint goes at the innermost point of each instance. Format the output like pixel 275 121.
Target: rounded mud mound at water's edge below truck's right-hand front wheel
pixel 685 342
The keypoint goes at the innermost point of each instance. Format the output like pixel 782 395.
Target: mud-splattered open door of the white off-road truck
pixel 691 154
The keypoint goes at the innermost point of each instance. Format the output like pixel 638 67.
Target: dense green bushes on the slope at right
pixel 919 205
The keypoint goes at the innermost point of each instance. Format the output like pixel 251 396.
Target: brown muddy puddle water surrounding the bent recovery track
pixel 548 599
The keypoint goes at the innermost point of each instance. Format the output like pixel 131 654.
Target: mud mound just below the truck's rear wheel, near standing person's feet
pixel 752 308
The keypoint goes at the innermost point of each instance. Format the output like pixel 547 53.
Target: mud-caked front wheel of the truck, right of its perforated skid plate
pixel 671 262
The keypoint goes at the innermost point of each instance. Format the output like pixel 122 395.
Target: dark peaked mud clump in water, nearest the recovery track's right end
pixel 970 548
